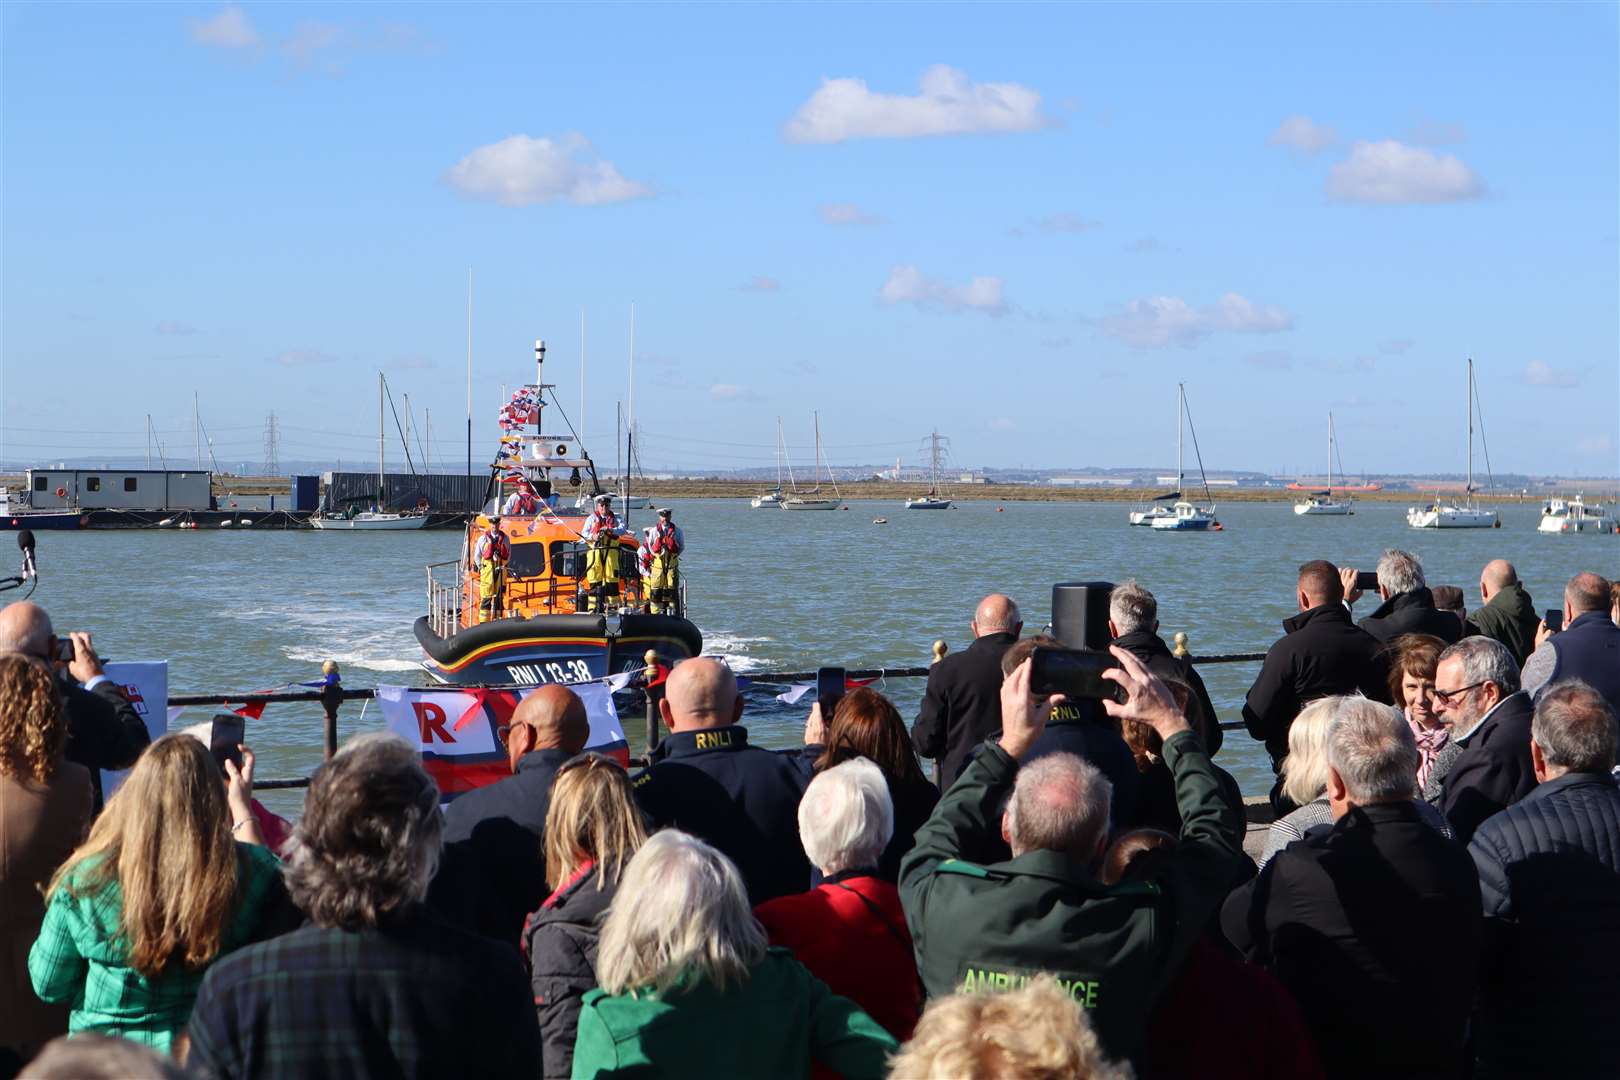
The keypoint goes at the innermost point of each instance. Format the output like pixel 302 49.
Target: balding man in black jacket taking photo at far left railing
pixel 104 731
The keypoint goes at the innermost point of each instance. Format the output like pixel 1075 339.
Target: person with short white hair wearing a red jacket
pixel 851 930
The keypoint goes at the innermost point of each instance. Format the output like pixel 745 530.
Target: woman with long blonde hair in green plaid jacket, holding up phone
pixel 174 875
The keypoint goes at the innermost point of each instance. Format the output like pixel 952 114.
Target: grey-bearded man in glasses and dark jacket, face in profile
pixel 1477 692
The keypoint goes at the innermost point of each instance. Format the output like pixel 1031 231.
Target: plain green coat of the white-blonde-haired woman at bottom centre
pixel 772 1026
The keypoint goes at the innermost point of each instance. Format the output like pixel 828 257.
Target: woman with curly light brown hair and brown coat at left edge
pixel 45 810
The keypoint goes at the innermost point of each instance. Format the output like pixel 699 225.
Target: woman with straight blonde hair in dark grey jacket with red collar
pixel 592 831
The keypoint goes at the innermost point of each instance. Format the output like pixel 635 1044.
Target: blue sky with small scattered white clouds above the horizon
pixel 1021 226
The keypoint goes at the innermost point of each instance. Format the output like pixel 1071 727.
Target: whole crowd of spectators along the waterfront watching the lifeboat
pixel 1439 895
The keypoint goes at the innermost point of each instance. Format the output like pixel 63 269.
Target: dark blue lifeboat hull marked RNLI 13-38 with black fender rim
pixel 555 648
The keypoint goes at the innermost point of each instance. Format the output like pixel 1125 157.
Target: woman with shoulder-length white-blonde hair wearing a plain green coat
pixel 689 987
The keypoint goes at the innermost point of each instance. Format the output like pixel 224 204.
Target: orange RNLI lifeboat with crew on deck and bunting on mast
pixel 573 610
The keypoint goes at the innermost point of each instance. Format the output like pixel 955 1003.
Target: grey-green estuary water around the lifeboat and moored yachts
pixel 770 590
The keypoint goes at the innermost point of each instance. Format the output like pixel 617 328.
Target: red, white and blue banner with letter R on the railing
pixel 459 731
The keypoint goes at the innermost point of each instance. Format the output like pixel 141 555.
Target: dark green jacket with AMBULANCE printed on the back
pixel 1114 950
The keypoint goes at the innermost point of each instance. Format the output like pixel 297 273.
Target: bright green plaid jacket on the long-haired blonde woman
pixel 80 956
